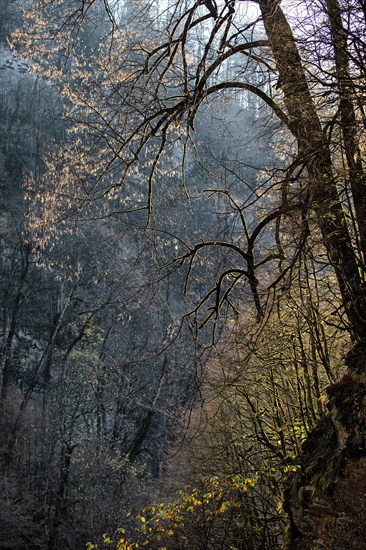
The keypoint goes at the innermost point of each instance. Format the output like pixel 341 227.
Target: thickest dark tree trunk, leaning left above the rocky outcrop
pixel 314 150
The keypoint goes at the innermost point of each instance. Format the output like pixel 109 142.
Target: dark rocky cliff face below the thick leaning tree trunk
pixel 327 499
